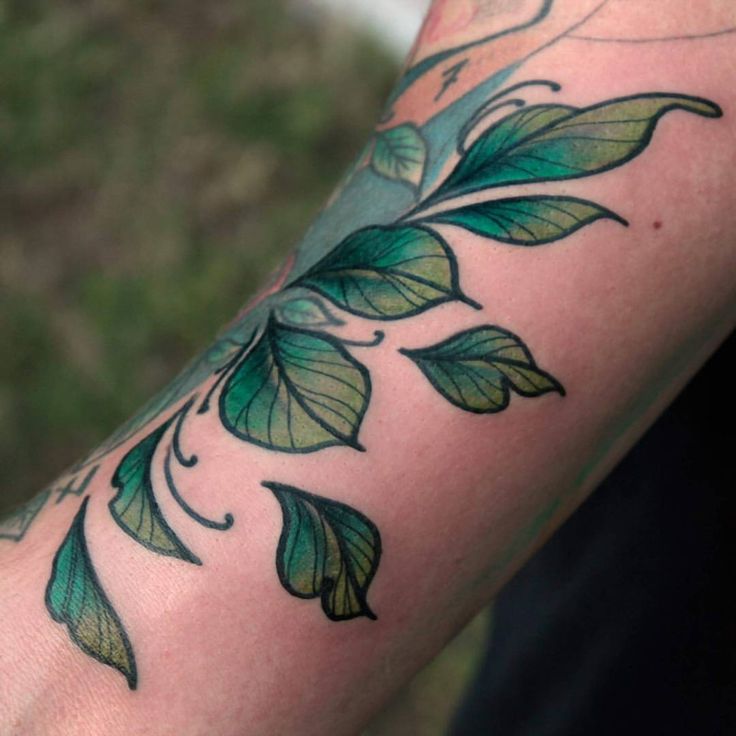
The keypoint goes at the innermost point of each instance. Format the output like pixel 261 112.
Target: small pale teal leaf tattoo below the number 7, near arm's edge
pixel 400 154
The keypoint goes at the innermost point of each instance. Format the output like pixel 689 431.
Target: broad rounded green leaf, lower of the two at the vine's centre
pixel 296 391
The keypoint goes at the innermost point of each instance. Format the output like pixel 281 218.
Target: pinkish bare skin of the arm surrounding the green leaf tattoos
pixel 620 316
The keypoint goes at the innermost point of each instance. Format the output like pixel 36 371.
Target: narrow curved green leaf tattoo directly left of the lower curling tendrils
pixel 135 508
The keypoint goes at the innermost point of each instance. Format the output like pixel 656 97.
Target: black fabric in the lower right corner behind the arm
pixel 623 622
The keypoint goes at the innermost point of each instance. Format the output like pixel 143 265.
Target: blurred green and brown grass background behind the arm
pixel 157 160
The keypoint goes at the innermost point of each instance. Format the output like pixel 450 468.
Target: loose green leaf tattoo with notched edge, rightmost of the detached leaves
pixel 477 369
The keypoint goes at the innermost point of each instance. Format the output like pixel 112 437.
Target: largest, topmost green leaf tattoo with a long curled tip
pixel 545 143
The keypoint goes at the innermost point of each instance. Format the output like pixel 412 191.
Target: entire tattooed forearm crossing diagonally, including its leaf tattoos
pixel 531 256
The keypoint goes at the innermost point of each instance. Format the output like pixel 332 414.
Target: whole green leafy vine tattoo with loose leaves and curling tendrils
pixel 282 379
